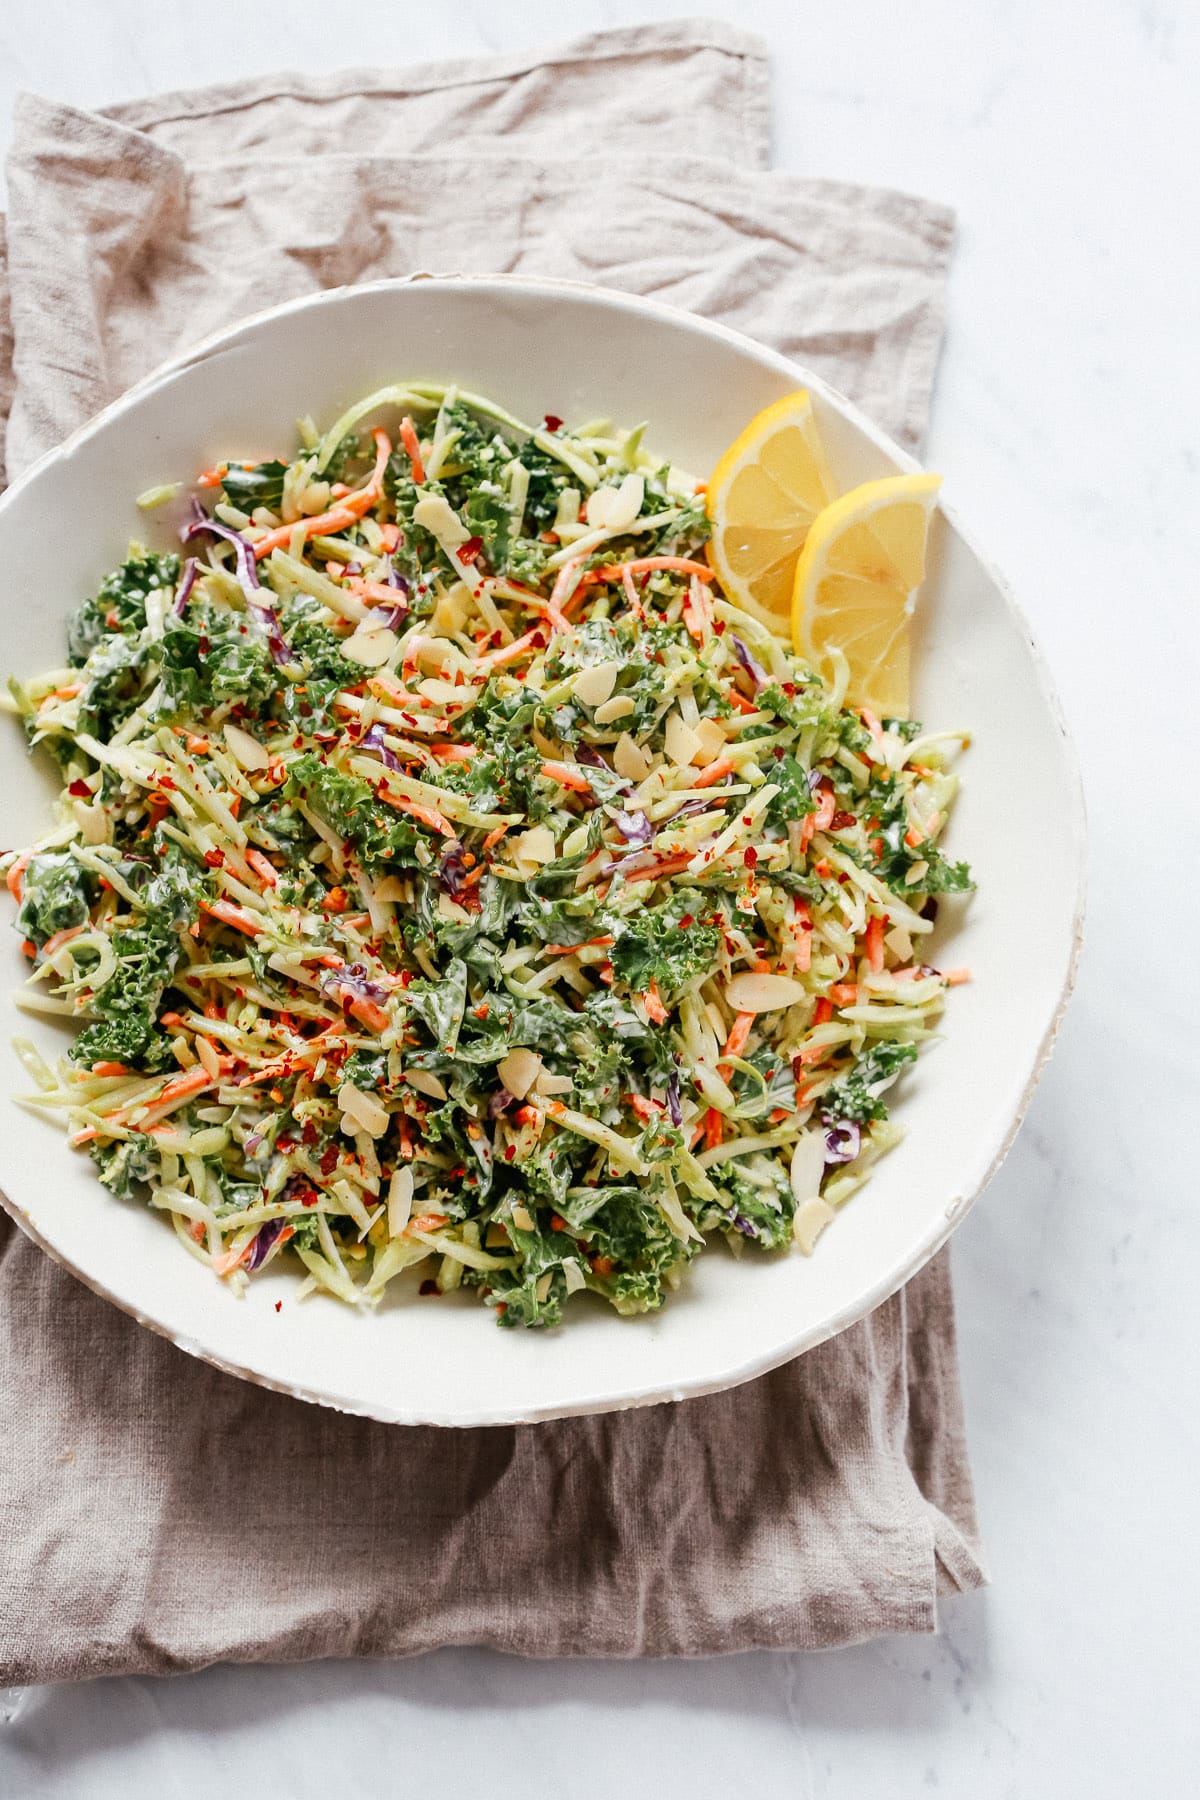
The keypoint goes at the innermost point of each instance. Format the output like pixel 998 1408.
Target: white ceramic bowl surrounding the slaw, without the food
pixel 580 354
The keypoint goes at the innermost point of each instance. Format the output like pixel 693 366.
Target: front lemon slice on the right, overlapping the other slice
pixel 857 582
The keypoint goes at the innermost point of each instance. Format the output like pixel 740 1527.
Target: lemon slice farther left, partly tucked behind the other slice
pixel 764 496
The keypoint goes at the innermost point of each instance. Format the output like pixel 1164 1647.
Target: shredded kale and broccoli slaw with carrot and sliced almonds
pixel 451 877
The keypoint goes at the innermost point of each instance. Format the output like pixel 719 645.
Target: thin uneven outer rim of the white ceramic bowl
pixel 1073 838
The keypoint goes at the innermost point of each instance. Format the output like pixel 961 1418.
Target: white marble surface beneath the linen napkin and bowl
pixel 1068 427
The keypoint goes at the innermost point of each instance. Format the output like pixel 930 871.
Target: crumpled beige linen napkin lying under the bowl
pixel 163 1516
